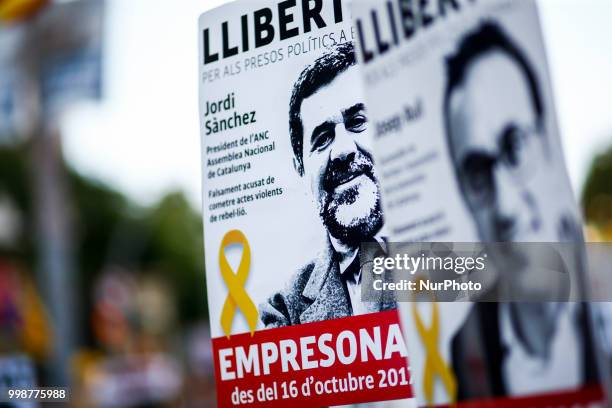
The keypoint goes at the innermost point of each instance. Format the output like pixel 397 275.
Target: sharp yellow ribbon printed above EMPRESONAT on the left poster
pixel 237 296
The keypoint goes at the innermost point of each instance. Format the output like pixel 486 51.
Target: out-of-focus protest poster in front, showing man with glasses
pixel 467 147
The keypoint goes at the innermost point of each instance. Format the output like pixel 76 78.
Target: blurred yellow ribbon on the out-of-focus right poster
pixel 435 366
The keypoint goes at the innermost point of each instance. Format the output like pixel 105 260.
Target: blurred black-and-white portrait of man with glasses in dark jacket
pixel 495 118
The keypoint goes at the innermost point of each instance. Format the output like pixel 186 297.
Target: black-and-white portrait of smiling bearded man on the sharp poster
pixel 332 151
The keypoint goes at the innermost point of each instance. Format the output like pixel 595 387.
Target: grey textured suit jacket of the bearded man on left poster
pixel 315 293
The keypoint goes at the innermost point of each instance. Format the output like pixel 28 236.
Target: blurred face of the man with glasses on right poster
pixel 496 147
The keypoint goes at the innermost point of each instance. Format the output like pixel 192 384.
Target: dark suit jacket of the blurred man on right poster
pixel 478 342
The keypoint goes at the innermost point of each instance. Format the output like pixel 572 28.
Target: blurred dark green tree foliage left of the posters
pixel 164 239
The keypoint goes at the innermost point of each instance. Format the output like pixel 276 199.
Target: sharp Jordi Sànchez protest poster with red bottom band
pixel 290 190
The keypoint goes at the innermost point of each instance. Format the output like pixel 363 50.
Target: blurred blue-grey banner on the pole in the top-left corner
pixel 58 54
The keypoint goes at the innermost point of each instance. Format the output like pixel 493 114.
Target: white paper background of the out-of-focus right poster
pixel 425 79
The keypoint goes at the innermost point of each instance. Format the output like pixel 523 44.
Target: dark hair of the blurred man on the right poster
pixel 487 38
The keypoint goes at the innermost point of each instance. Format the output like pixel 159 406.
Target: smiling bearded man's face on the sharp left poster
pixel 337 160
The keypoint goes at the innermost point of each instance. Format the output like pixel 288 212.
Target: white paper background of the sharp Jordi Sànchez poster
pixel 284 232
